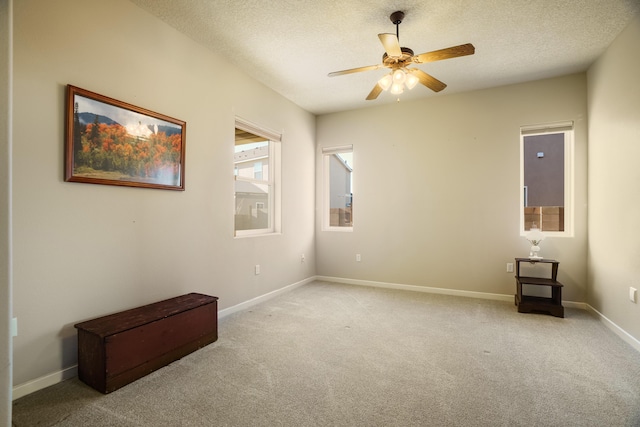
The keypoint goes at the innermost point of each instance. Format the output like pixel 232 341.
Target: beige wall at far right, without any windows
pixel 614 180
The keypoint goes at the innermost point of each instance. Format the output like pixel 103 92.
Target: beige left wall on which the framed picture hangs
pixel 86 250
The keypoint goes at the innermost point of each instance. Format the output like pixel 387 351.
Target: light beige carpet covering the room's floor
pixel 341 355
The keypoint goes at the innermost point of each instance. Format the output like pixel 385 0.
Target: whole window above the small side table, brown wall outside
pixel 547 178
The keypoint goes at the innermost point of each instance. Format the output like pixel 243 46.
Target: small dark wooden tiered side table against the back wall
pixel 528 303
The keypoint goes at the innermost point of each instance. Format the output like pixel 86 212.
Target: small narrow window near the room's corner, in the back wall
pixel 338 188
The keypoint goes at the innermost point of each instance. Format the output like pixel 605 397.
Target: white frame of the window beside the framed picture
pixel 273 181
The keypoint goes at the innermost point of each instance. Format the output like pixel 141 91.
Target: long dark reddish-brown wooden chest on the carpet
pixel 118 349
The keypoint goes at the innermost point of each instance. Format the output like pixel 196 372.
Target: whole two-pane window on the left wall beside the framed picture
pixel 255 159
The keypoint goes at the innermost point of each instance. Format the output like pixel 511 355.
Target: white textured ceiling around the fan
pixel 291 45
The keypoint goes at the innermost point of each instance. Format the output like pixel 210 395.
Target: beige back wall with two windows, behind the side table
pixel 423 172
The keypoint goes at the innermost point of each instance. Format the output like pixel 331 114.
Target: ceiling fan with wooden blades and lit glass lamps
pixel 398 60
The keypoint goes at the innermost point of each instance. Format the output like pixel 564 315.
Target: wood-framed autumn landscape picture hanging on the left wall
pixel 115 143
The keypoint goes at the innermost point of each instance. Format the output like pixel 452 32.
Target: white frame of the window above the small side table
pixel 567 128
